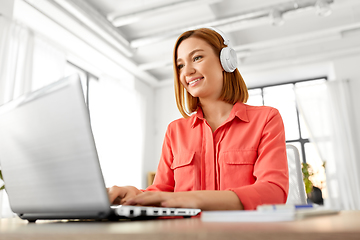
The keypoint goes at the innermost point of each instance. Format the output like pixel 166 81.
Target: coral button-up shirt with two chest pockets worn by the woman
pixel 246 154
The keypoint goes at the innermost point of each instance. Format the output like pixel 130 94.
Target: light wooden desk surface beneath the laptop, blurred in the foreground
pixel 345 225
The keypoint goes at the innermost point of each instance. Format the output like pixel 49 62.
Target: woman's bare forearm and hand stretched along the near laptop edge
pixel 205 200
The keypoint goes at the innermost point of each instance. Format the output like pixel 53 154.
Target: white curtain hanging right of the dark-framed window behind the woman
pixel 328 111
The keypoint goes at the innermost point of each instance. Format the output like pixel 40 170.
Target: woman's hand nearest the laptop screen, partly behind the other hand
pixel 119 195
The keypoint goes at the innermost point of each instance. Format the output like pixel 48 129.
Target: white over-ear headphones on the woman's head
pixel 228 56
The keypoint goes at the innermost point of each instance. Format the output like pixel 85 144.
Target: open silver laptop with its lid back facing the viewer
pixel 49 160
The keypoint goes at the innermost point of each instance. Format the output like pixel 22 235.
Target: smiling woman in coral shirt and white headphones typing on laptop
pixel 223 155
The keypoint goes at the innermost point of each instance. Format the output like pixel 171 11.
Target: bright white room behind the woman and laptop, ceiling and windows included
pixel 300 56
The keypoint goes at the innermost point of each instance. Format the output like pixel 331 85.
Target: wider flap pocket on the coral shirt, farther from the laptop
pixel 237 168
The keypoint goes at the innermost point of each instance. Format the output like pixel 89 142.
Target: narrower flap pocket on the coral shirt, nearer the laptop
pixel 184 171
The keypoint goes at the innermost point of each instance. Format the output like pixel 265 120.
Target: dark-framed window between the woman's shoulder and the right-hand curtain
pixel 282 97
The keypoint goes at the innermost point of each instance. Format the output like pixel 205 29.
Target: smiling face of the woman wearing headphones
pixel 199 69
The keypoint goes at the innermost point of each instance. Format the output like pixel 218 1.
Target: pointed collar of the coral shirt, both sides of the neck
pixel 238 110
